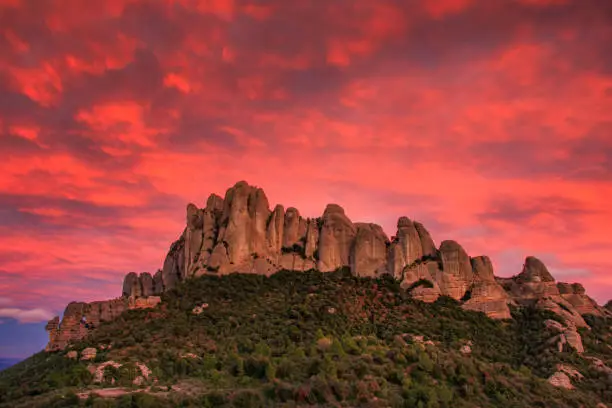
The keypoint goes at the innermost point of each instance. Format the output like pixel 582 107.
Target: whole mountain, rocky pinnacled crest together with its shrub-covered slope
pixel 262 307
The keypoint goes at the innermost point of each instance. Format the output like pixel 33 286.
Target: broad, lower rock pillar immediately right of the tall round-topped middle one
pixel 369 250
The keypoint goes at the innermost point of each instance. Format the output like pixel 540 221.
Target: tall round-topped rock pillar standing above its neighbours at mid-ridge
pixel 335 239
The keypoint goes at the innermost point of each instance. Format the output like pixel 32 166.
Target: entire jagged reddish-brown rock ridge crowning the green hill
pixel 240 233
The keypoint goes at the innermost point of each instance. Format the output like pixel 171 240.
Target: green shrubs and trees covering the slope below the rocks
pixel 316 339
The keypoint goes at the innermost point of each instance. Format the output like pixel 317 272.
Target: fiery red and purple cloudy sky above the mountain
pixel 489 121
